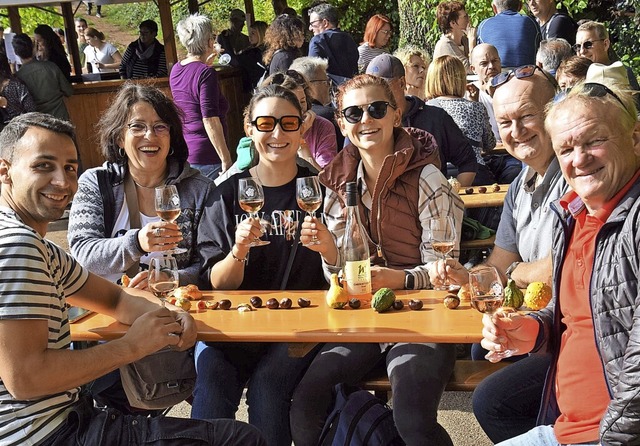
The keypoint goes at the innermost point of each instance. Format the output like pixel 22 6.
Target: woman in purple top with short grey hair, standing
pixel 195 89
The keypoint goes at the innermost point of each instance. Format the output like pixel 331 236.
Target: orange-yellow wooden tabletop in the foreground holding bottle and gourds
pixel 317 323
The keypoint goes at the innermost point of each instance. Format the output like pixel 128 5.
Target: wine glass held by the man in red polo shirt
pixel 487 295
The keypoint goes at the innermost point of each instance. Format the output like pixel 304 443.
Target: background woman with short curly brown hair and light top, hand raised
pixel 453 21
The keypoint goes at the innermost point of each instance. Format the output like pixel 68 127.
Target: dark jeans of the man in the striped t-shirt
pixel 88 426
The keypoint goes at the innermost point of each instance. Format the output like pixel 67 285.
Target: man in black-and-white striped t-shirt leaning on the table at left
pixel 40 377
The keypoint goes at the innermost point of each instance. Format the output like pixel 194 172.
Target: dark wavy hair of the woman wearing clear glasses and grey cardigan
pixel 113 122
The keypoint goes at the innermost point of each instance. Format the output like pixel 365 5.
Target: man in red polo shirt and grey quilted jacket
pixel 590 326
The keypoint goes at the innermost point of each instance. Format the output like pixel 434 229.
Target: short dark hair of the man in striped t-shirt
pixel 18 126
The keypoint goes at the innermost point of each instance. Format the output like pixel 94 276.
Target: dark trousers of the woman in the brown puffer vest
pixel 418 375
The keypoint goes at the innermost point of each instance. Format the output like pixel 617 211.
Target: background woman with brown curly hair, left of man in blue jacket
pixel 283 39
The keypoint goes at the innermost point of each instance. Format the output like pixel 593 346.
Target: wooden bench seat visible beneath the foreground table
pixel 466 375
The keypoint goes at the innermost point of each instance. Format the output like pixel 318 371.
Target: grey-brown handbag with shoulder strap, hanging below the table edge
pixel 166 377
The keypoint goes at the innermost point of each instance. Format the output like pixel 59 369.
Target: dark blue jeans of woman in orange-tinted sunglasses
pixel 269 373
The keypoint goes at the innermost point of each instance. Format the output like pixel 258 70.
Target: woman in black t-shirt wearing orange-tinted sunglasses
pixel 274 121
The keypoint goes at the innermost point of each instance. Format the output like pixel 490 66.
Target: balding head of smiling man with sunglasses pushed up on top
pixel 519 107
